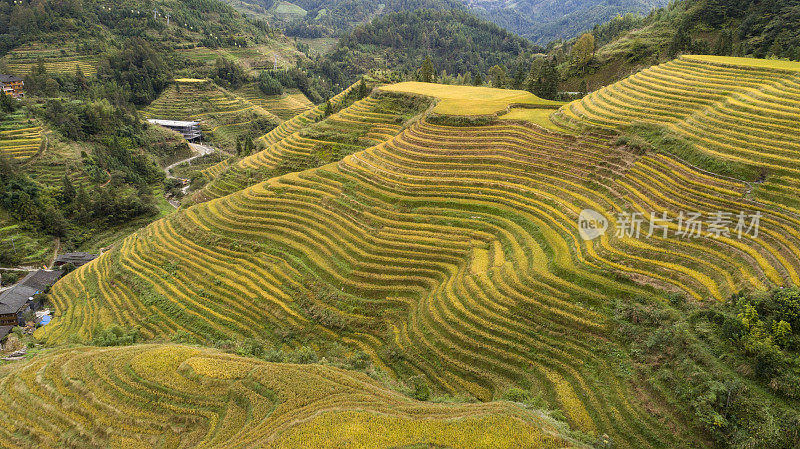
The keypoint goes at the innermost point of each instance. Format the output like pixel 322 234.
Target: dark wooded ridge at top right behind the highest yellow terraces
pixel 762 29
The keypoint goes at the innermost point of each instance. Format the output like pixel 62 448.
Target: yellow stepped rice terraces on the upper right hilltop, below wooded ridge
pixel 739 115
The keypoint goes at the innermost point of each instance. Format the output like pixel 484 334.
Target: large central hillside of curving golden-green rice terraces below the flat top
pixel 449 252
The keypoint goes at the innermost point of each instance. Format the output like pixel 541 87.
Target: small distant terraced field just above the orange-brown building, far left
pixel 21 60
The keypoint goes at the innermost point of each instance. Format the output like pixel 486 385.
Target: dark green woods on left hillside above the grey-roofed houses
pixel 119 161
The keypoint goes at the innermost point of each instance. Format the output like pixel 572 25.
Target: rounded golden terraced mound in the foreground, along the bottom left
pixel 179 396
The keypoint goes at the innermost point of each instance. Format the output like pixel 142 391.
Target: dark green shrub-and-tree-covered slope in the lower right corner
pixel 732 368
